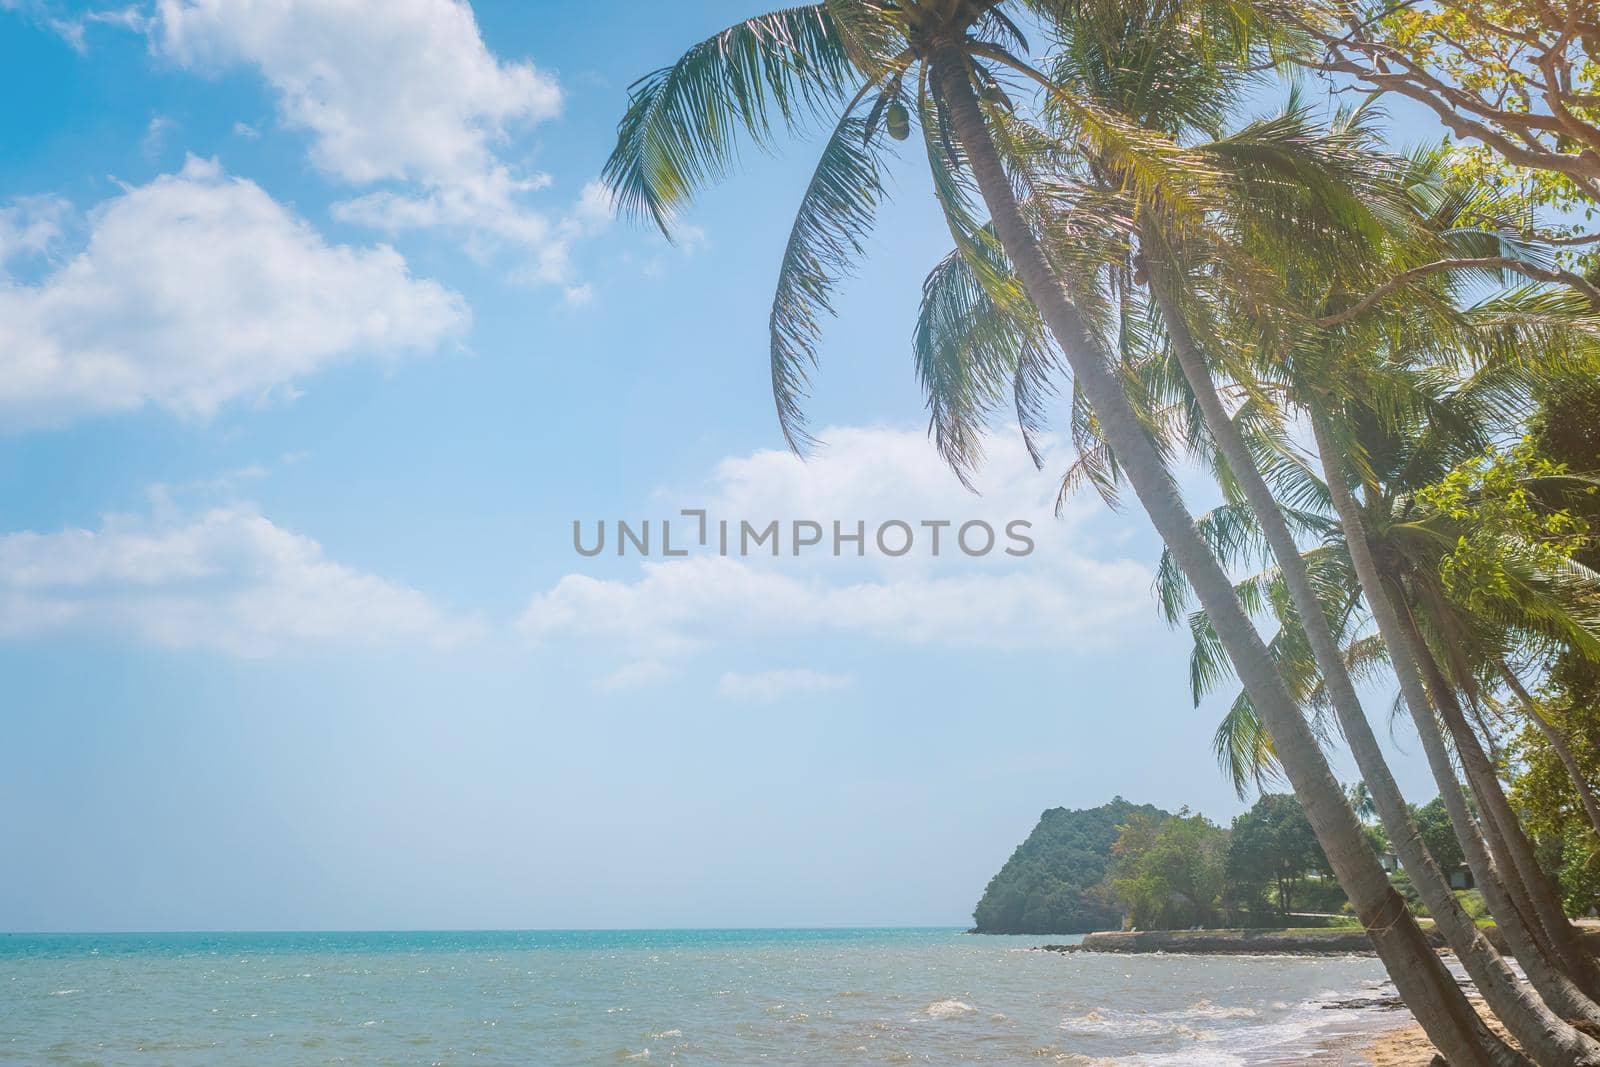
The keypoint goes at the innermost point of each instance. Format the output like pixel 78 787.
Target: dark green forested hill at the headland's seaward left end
pixel 1052 884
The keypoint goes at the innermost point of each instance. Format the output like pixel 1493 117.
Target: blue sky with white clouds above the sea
pixel 318 338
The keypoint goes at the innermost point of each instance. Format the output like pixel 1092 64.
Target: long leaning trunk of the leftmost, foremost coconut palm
pixel 1423 981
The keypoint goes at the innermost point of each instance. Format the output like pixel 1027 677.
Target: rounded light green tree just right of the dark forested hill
pixel 1172 873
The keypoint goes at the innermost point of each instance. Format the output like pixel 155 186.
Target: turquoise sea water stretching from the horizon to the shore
pixel 682 997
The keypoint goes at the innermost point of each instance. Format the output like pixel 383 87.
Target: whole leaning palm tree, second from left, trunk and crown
pixel 1113 63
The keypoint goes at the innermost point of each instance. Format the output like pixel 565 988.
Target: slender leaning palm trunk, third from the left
pixel 1554 985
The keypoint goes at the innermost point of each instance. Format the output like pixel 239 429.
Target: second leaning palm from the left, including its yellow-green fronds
pixel 1284 178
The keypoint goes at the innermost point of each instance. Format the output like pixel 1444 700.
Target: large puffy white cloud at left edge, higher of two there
pixel 198 290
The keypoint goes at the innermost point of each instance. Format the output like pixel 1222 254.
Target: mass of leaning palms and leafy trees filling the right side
pixel 1386 359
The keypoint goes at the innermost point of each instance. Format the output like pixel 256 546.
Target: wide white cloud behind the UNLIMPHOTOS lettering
pixel 1070 593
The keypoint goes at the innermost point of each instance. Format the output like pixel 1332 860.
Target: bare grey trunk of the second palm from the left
pixel 1542 1034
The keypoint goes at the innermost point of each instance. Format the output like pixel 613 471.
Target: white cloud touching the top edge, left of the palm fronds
pixel 402 94
